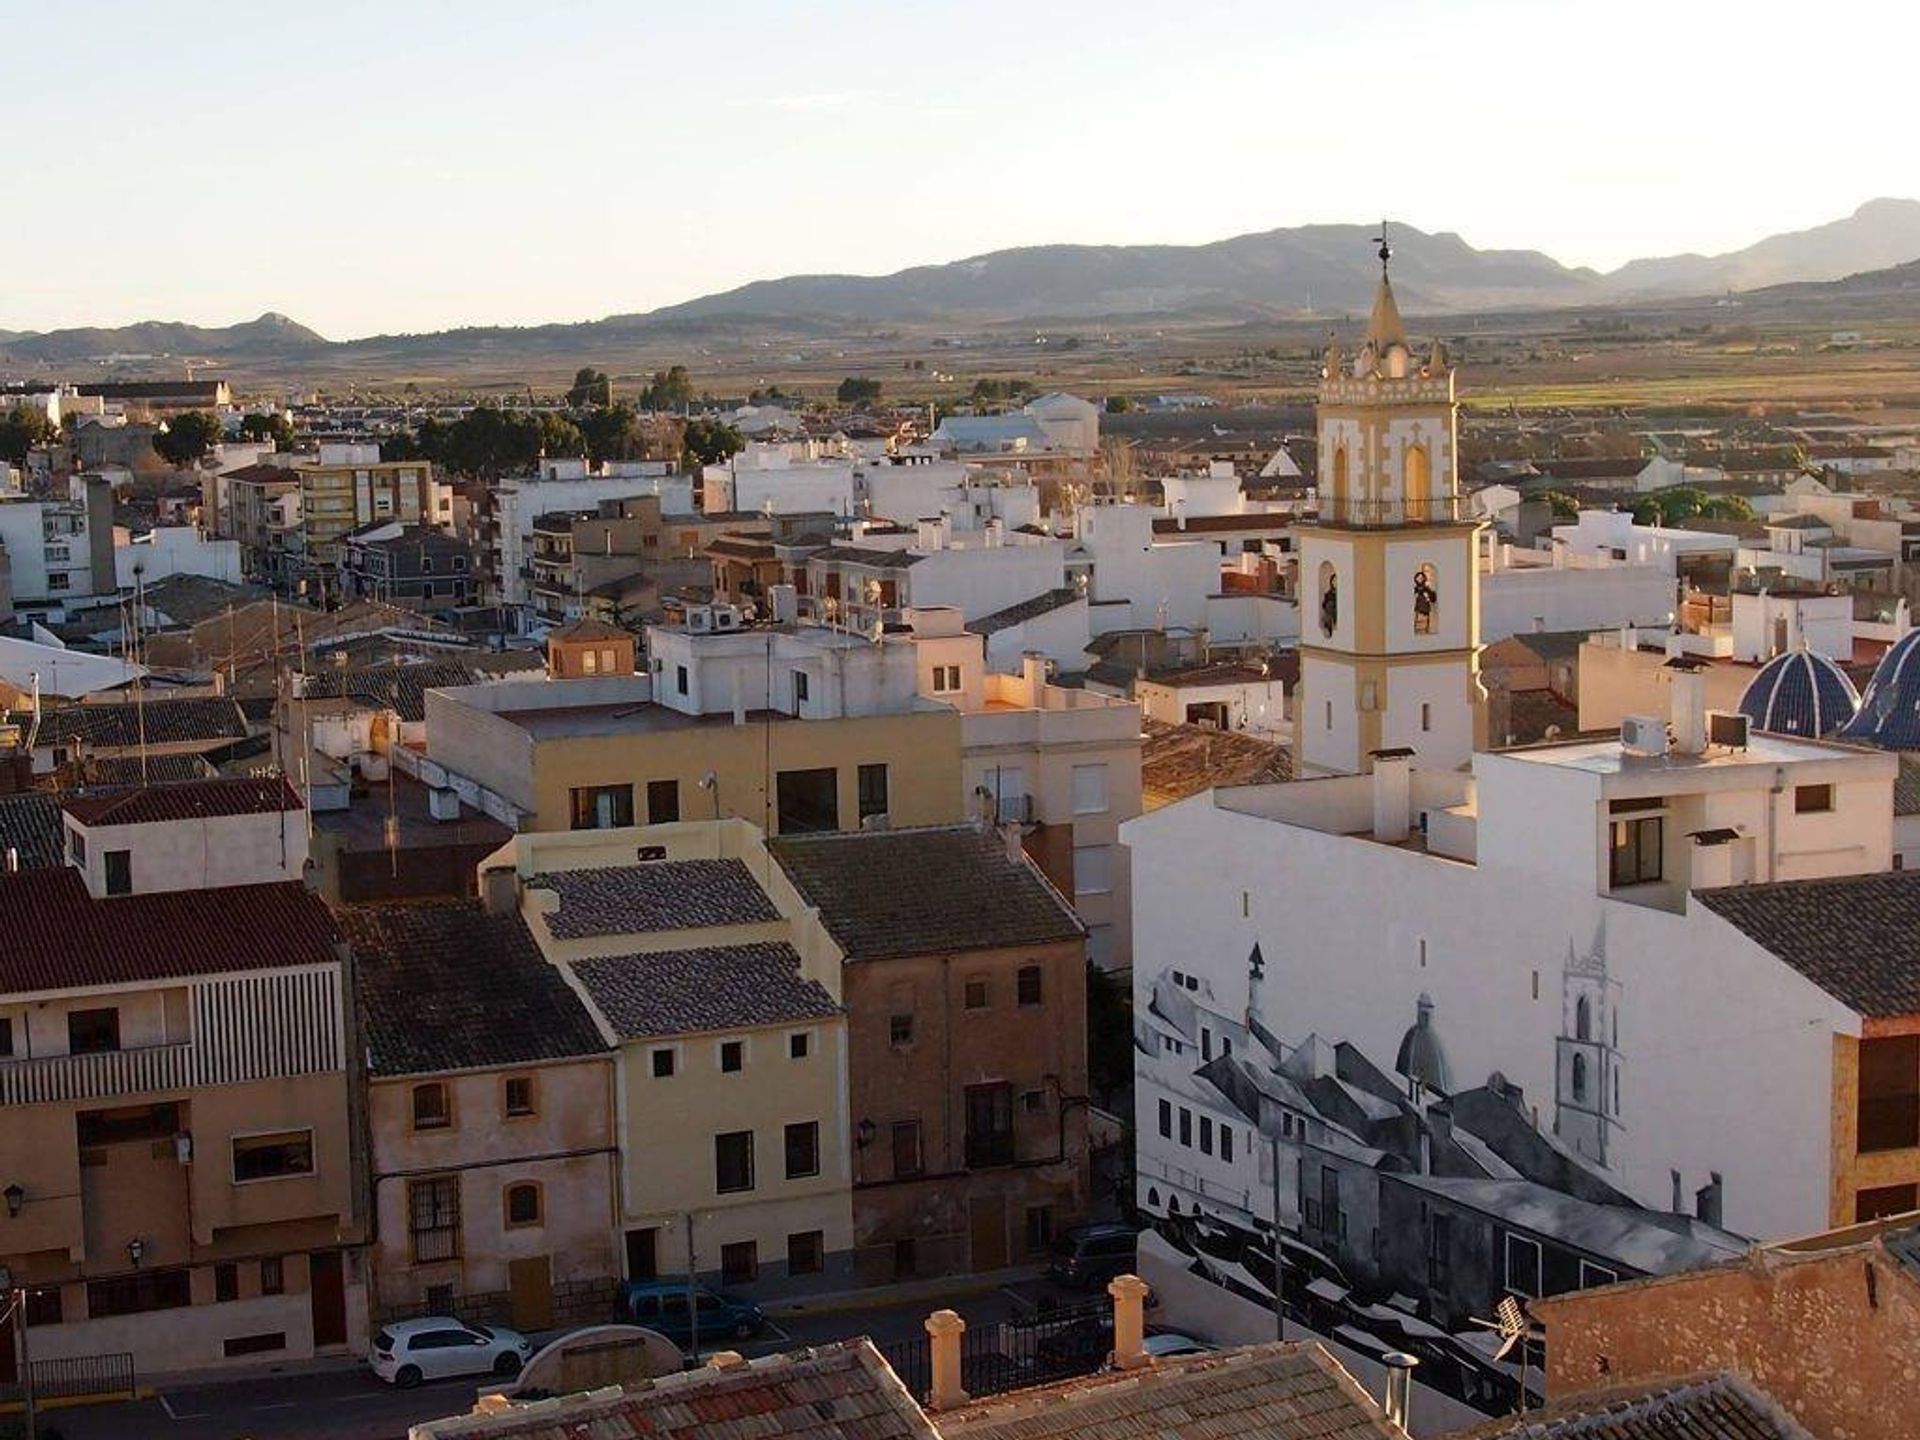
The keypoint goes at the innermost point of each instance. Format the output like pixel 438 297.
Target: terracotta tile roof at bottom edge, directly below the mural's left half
pixel 1272 1391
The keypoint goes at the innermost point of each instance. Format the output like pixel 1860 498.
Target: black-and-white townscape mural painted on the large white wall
pixel 1412 1199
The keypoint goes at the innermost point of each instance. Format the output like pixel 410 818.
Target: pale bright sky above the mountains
pixel 406 166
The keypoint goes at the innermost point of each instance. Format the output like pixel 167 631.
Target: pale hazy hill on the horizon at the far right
pixel 1879 235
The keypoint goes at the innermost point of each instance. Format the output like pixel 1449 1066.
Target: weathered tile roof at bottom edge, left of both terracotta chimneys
pixel 828 1393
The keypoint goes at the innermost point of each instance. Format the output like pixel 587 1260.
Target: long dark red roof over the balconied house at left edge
pixel 60 936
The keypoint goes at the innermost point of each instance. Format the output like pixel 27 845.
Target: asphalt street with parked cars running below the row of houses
pixel 348 1404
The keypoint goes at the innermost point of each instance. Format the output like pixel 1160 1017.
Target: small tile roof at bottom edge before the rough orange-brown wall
pixel 1698 1408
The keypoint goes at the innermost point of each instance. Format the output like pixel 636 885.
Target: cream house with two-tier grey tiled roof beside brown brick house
pixel 721 994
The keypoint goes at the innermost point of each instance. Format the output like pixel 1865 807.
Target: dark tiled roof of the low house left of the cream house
pixel 452 988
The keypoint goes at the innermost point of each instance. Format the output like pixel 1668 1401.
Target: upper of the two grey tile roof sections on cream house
pixel 654 896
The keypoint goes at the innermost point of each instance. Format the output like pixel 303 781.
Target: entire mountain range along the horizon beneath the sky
pixel 1270 276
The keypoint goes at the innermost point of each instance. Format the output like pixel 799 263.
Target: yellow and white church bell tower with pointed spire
pixel 1389 569
